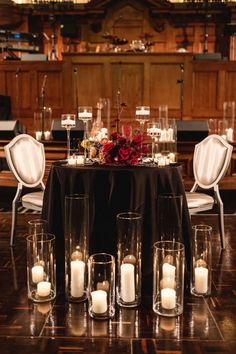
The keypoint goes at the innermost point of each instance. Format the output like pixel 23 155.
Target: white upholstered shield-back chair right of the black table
pixel 211 160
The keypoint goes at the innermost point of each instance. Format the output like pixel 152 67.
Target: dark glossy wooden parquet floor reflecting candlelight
pixel 208 325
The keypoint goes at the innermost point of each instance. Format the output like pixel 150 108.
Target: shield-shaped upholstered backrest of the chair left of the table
pixel 26 159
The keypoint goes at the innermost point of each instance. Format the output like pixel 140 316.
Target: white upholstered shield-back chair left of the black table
pixel 26 159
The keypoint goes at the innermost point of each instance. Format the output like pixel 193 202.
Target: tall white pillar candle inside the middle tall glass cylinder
pixel 127 282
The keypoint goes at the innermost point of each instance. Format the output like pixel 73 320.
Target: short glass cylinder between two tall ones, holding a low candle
pixel 101 286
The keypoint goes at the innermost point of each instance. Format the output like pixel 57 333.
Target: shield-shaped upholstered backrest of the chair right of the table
pixel 211 160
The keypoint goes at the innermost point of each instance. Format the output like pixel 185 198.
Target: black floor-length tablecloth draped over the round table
pixel 113 190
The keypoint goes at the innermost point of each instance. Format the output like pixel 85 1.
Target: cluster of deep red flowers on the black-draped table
pixel 120 149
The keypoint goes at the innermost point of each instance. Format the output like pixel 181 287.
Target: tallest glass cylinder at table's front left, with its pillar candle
pixel 76 246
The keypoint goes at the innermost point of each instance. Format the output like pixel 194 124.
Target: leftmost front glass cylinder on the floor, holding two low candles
pixel 41 267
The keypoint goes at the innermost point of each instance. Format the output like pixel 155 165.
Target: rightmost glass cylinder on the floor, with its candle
pixel 201 261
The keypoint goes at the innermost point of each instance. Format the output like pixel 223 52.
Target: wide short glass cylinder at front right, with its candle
pixel 168 278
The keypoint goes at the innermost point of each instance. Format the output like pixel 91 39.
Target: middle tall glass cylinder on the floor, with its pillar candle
pixel 129 229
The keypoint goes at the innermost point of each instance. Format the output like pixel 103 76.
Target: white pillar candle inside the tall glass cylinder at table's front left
pixel 77 278
